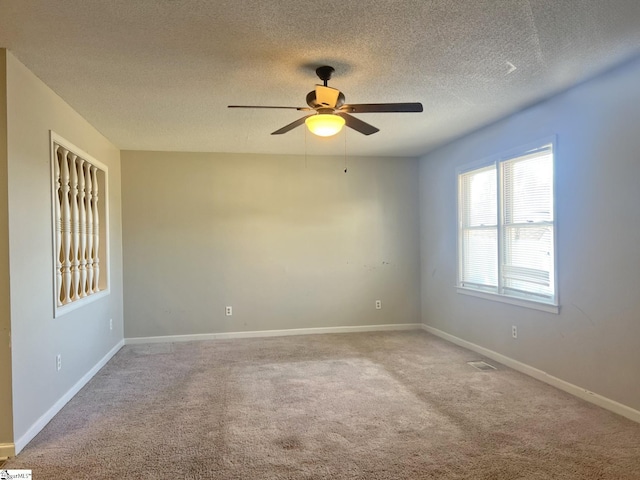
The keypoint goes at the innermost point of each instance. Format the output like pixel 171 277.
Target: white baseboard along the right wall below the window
pixel 575 390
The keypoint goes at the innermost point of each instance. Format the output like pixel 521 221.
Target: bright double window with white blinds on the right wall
pixel 506 234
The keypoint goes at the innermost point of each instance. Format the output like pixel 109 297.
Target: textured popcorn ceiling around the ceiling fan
pixel 158 74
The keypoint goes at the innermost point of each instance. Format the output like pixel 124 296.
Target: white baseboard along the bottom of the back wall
pixel 271 333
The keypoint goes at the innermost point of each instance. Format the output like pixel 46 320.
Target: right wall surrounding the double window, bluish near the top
pixel 593 341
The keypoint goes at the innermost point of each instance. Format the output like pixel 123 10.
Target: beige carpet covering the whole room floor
pixel 399 405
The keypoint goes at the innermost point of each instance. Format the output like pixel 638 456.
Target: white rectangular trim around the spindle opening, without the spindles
pixel 58 311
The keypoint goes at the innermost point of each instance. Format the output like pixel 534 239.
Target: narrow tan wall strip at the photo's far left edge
pixel 6 408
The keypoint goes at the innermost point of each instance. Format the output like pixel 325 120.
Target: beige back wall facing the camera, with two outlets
pixel 288 242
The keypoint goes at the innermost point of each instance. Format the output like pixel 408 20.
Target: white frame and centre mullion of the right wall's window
pixel 551 306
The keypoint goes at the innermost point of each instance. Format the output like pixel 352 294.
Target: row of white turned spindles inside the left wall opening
pixel 77 220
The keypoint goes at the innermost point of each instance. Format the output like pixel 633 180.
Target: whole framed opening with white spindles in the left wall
pixel 80 239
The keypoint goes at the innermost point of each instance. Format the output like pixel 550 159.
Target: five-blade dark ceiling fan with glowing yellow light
pixel 330 113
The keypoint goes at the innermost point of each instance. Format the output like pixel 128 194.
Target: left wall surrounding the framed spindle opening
pixel 82 337
